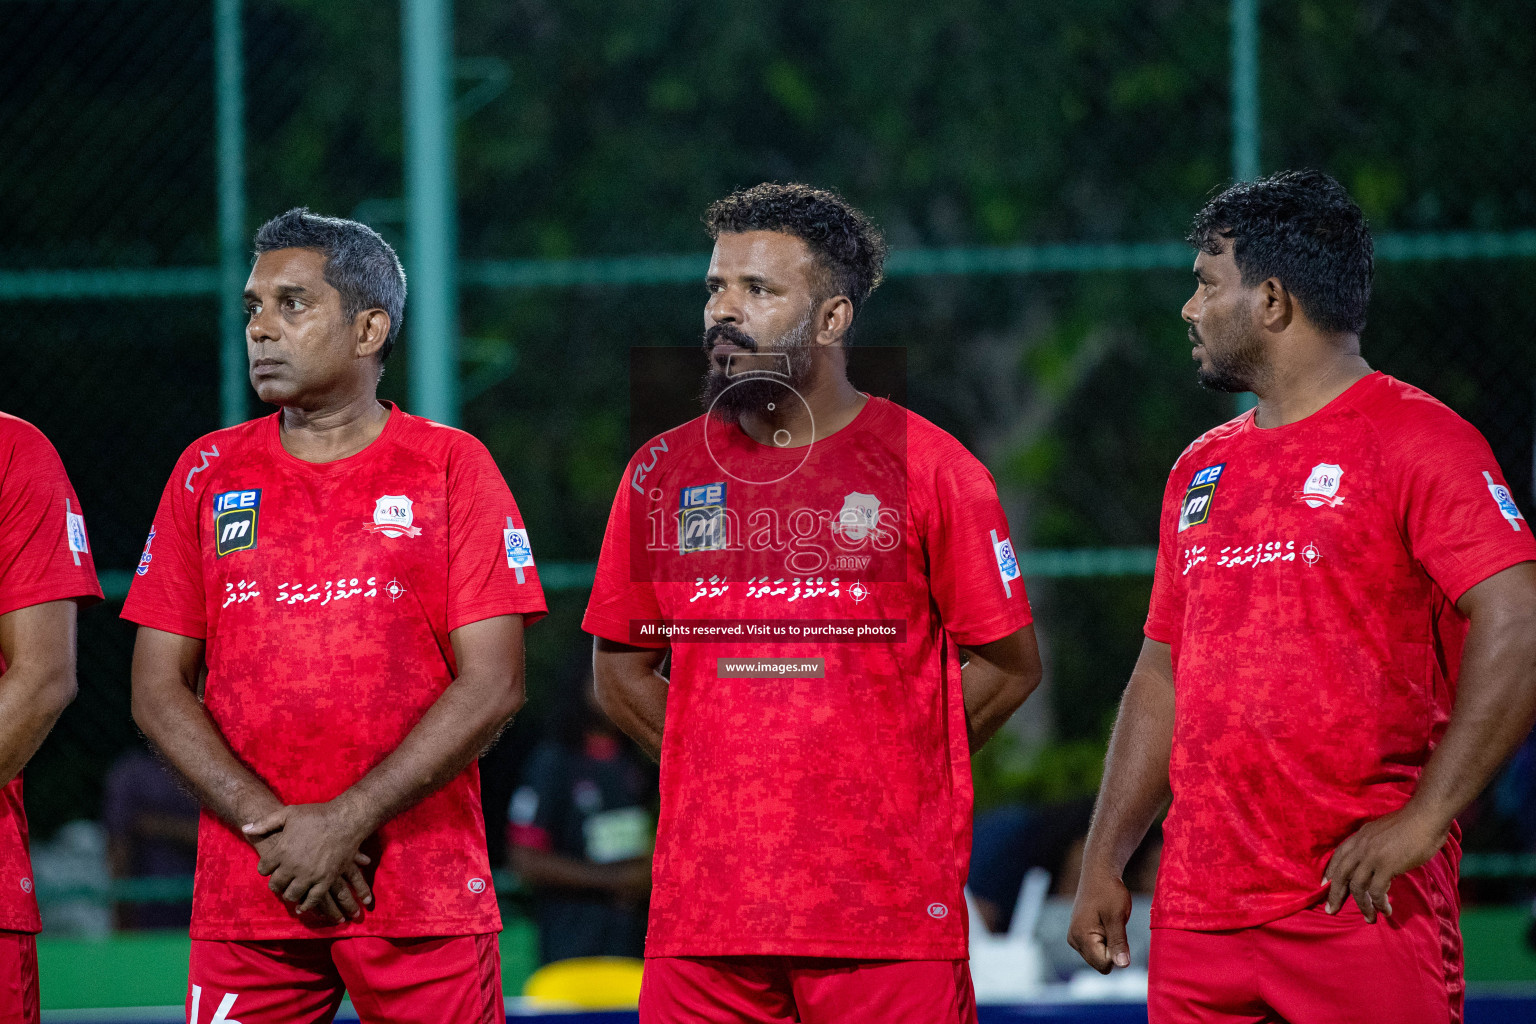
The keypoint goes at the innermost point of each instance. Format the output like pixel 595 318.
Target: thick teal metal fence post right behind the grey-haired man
pixel 431 237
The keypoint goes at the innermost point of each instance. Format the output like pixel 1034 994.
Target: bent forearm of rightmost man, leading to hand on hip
pixel 1494 713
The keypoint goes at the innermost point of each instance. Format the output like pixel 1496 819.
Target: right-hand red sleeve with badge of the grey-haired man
pixel 491 561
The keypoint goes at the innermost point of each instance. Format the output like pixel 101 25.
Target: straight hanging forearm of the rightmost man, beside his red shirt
pixel 1136 787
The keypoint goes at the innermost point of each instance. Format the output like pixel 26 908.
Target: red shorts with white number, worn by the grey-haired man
pixel 397 980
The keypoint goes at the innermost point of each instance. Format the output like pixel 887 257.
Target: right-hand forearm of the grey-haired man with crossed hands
pixel 457 730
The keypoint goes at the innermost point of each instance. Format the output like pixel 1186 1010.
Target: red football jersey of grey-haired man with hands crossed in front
pixel 326 595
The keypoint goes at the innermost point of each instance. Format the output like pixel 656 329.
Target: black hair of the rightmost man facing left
pixel 1303 228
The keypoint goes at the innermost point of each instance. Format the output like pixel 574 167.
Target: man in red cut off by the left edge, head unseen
pixel 47 573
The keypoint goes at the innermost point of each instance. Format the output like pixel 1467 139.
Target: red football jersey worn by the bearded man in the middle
pixel 818 805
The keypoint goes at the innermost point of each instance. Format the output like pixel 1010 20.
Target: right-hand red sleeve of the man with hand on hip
pixel 1458 517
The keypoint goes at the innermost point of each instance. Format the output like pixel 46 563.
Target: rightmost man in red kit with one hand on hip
pixel 1346 607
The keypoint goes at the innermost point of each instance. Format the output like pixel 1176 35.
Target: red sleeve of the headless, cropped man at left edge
pixel 45 553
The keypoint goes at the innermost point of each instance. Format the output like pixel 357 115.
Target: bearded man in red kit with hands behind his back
pixel 816 796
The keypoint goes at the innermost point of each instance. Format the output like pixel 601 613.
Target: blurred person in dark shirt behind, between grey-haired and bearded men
pixel 581 830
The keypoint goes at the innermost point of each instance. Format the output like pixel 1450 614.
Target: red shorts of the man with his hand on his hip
pixel 1319 969
